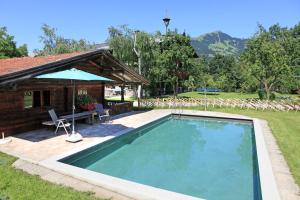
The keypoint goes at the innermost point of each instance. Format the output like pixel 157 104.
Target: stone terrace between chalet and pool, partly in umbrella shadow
pixel 41 144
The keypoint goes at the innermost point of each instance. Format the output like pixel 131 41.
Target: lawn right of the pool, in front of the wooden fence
pixel 285 127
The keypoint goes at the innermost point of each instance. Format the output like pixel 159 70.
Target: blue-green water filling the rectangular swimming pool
pixel 201 157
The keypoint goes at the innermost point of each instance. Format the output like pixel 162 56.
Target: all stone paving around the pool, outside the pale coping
pixel 36 146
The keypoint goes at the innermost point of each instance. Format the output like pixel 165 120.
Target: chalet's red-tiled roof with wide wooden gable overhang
pixel 16 69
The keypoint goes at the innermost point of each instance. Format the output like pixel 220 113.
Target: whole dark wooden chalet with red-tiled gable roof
pixel 25 101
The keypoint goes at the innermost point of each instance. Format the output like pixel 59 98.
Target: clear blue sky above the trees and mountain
pixel 90 19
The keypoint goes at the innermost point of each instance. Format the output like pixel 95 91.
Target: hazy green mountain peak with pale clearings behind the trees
pixel 218 42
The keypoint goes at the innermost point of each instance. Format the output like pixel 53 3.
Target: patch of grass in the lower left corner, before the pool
pixel 16 184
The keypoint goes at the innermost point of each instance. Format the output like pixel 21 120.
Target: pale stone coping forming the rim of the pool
pixel 269 190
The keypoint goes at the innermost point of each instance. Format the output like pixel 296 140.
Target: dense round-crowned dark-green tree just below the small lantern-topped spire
pixel 175 58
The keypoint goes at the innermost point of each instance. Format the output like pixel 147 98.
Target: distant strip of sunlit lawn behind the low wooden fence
pixel 227 95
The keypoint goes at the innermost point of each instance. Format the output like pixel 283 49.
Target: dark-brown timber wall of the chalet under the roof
pixel 14 118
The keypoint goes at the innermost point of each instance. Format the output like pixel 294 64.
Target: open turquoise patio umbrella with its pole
pixel 73 74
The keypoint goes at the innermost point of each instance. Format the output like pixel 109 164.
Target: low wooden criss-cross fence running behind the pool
pixel 278 105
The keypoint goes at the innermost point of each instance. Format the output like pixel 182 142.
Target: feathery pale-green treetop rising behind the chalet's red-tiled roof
pixel 56 44
